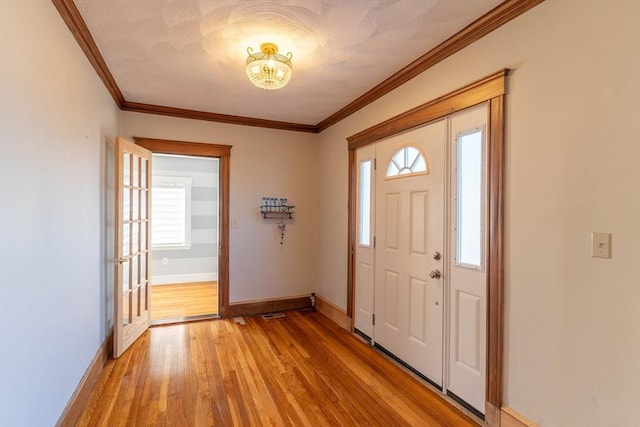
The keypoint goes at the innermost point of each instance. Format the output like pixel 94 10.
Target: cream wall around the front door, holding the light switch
pixel 572 354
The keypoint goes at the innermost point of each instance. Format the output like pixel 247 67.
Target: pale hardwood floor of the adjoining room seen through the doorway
pixel 184 300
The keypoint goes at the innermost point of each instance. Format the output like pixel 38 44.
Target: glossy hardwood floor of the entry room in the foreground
pixel 301 370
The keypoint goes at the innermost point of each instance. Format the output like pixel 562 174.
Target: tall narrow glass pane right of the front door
pixel 470 195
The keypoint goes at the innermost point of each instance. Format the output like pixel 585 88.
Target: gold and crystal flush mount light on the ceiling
pixel 268 69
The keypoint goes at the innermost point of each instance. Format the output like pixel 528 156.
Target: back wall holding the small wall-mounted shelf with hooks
pixel 263 163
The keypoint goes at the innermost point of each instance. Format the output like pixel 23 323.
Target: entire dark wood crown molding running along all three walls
pixel 482 26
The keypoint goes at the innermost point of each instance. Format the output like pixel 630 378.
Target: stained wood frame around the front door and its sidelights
pixel 490 89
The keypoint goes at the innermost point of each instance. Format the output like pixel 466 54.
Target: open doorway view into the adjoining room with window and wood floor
pixel 184 237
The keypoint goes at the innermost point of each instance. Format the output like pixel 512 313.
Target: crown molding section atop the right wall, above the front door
pixel 482 26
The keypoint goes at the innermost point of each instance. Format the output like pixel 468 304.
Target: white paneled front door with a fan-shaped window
pixel 409 218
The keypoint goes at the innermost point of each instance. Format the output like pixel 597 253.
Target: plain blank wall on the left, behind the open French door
pixel 55 117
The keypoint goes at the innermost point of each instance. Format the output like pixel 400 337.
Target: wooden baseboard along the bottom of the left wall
pixel 79 398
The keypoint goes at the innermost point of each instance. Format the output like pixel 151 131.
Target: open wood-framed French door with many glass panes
pixel 132 248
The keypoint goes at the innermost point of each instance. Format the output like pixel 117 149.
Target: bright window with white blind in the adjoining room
pixel 171 212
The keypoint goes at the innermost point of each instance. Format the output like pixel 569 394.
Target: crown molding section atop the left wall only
pixel 76 24
